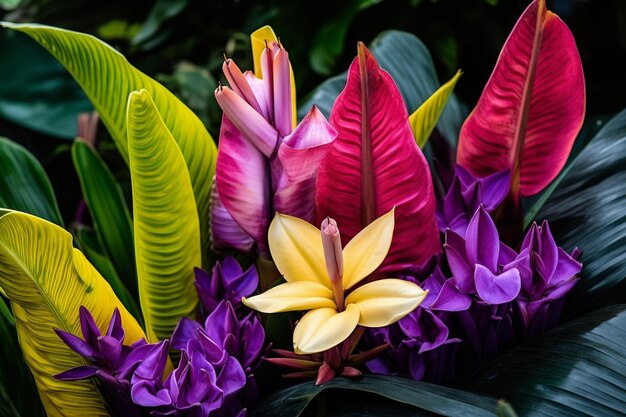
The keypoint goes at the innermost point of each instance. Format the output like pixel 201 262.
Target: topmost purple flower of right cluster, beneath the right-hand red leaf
pixel 466 194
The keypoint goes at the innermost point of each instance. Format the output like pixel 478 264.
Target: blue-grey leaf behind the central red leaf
pixel 410 65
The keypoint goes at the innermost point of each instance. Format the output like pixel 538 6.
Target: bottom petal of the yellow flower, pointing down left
pixel 324 328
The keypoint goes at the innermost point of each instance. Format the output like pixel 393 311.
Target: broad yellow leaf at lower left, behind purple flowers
pixel 47 280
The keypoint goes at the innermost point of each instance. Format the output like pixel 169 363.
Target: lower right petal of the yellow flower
pixel 385 301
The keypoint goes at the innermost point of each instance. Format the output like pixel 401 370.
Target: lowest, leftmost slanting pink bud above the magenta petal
pixel 247 120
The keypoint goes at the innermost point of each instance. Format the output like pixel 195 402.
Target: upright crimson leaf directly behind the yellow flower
pixel 362 177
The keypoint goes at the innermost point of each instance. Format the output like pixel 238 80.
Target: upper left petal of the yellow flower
pixel 296 248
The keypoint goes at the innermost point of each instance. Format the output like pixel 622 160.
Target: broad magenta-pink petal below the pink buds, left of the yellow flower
pixel 242 181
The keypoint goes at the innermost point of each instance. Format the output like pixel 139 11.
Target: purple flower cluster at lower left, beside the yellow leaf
pixel 214 376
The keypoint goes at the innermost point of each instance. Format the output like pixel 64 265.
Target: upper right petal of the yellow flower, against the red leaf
pixel 367 250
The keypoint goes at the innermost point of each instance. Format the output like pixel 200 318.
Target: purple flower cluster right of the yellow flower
pixel 499 296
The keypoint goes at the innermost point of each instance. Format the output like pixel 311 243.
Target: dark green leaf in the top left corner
pixel 41 96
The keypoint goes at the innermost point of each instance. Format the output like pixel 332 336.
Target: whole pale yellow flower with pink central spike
pixel 317 279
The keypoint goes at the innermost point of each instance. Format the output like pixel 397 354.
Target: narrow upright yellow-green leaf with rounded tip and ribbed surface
pixel 166 228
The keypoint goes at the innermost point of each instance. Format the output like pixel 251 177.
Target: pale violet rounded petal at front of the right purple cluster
pixel 496 289
